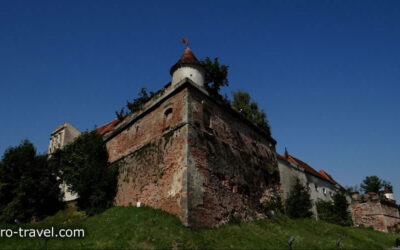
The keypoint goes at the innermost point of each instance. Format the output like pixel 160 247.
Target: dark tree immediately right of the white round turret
pixel 216 75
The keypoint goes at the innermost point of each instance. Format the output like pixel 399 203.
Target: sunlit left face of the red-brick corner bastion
pixel 153 167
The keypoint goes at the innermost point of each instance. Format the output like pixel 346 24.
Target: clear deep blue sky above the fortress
pixel 326 72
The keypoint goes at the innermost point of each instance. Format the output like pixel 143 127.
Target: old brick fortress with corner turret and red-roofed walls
pixel 191 155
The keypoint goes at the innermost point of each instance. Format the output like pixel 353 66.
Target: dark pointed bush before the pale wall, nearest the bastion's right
pixel 298 203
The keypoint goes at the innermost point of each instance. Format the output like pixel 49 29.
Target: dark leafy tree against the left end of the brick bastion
pixel 84 167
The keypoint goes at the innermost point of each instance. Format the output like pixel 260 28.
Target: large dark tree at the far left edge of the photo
pixel 29 187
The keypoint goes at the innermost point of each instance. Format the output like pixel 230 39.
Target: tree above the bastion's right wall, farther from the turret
pixel 242 103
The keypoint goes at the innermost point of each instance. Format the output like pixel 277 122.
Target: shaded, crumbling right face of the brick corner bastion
pixel 232 168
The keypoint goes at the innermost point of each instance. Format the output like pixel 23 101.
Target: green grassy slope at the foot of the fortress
pixel 131 227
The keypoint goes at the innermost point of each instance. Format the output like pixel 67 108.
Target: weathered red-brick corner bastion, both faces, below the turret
pixel 201 162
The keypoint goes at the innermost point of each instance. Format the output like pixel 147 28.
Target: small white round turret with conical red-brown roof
pixel 188 66
